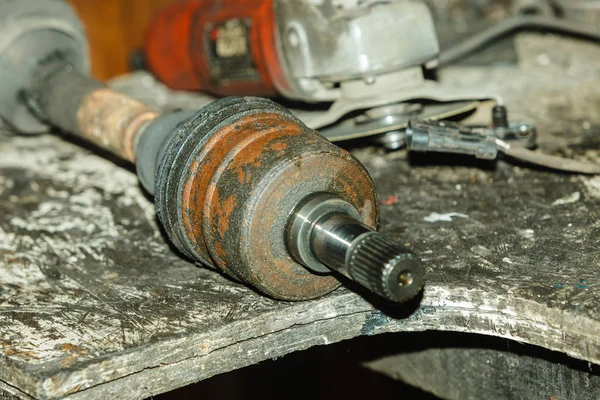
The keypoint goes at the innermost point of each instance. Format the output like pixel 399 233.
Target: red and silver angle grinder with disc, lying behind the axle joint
pixel 362 66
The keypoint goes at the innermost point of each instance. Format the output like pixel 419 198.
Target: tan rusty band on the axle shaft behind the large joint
pixel 112 121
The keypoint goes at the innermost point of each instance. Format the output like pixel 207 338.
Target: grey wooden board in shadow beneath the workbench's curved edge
pixel 478 373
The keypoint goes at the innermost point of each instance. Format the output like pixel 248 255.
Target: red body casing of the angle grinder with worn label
pixel 226 48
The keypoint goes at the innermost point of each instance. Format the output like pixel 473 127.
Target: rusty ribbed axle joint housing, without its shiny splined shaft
pixel 232 176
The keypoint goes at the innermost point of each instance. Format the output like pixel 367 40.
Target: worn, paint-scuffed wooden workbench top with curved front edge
pixel 94 303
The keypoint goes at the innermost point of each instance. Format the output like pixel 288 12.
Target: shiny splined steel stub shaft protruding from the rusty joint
pixel 325 233
